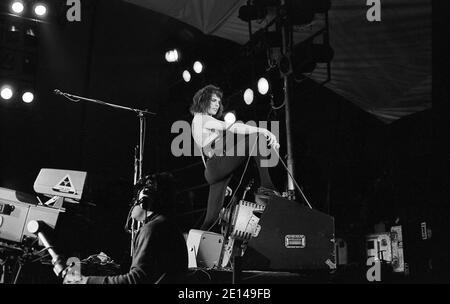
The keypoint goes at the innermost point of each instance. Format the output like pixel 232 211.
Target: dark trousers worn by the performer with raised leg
pixel 224 163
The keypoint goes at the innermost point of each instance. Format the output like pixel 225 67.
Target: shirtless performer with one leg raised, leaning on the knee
pixel 209 133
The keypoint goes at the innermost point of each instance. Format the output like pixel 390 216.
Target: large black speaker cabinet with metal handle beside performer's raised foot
pixel 293 237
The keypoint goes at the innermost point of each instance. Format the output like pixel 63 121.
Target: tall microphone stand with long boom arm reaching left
pixel 139 152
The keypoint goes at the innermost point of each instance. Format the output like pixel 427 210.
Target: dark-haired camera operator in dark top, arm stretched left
pixel 160 252
